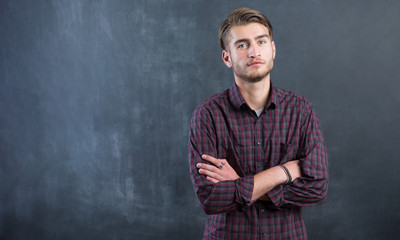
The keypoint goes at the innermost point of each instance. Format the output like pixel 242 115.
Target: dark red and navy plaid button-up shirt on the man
pixel 225 127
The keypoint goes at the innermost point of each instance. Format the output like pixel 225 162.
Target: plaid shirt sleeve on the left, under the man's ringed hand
pixel 226 195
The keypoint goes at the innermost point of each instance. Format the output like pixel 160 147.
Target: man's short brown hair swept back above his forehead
pixel 240 17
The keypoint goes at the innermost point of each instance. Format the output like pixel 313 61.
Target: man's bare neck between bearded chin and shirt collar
pixel 255 94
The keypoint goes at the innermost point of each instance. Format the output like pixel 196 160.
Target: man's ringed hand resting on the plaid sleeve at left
pixel 215 173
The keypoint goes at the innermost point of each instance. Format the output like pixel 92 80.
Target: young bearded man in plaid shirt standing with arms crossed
pixel 256 152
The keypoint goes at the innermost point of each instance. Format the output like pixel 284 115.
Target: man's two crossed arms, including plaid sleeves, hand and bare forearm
pixel 223 190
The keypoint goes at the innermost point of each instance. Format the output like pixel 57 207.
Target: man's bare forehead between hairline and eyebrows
pixel 247 32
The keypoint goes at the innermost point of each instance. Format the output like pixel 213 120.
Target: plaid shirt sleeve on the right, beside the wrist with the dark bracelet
pixel 312 187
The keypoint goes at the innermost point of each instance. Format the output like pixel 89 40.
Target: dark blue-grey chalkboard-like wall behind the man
pixel 96 99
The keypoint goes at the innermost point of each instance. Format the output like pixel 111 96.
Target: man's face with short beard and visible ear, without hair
pixel 250 52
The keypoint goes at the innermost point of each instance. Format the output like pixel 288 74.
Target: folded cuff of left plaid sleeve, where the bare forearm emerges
pixel 244 190
